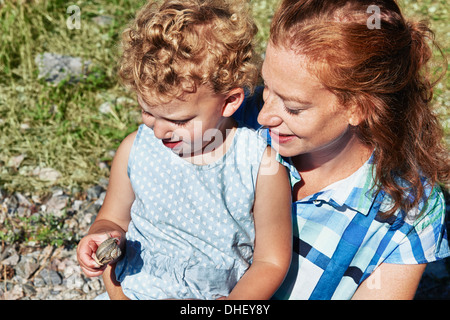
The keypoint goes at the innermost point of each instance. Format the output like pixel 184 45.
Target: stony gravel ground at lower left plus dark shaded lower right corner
pixel 32 271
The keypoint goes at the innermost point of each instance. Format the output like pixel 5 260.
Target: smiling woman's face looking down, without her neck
pixel 303 117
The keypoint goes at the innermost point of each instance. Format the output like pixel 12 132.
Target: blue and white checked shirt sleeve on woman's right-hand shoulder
pixel 423 239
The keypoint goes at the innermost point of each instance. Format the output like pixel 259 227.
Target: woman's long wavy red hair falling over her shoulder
pixel 384 73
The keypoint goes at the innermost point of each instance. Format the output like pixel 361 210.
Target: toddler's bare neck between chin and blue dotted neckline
pixel 217 148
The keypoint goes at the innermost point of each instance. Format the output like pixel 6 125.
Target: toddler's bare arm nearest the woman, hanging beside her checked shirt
pixel 273 233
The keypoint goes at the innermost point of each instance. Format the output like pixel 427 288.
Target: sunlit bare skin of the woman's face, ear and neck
pixel 307 122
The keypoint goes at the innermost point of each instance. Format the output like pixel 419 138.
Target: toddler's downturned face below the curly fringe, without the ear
pixel 186 125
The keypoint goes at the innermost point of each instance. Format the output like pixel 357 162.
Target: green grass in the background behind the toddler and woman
pixel 60 127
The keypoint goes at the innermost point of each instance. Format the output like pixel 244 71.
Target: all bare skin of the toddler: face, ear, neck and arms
pixel 196 125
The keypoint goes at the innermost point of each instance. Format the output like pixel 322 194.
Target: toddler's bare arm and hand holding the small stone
pixel 114 216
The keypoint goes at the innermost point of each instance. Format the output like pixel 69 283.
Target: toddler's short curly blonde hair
pixel 173 47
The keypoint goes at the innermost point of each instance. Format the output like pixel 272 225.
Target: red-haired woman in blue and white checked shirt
pixel 347 106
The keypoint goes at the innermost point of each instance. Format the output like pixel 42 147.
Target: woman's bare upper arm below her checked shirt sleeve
pixel 391 282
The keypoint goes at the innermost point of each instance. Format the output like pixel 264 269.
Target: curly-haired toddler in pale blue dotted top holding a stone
pixel 200 199
